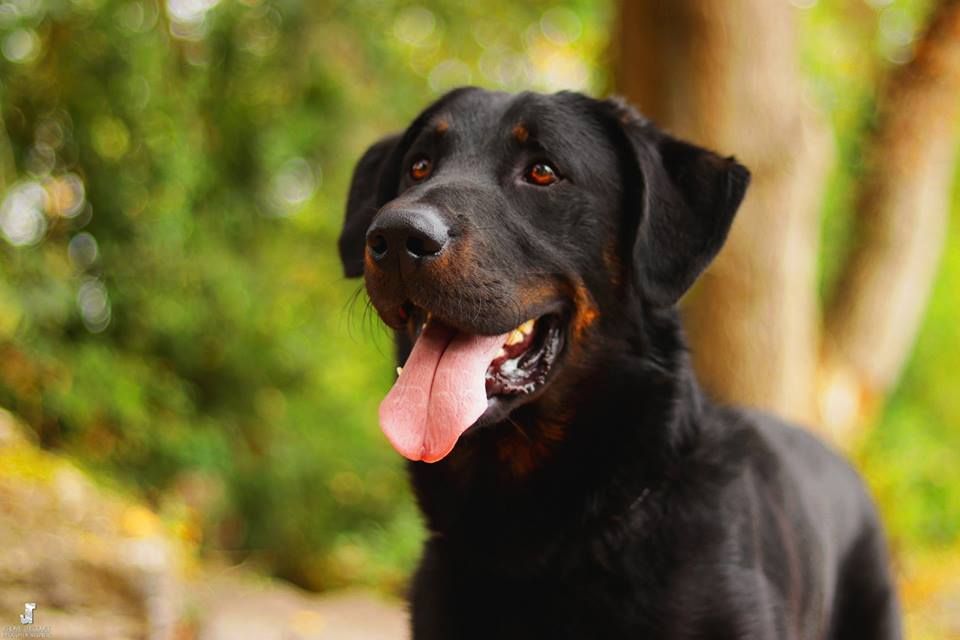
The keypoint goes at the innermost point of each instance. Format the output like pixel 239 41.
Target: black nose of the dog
pixel 411 234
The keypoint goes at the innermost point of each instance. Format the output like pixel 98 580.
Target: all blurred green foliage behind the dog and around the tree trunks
pixel 171 306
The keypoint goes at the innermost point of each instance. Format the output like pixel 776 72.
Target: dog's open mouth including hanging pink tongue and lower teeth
pixel 454 379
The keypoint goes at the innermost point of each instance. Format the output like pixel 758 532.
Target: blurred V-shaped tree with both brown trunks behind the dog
pixel 725 75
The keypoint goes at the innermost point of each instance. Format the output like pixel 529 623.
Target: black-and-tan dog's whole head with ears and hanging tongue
pixel 504 237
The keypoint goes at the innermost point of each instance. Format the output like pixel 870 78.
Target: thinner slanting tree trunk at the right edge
pixel 903 205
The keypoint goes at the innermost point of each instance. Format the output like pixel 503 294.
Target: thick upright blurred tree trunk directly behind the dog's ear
pixel 725 75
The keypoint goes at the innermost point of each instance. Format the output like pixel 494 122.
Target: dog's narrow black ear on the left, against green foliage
pixel 362 203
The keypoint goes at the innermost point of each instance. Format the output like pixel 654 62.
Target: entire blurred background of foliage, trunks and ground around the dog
pixel 188 387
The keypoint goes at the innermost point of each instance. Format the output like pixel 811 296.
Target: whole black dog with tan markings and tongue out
pixel 529 251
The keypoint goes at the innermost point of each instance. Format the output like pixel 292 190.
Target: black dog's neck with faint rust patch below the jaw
pixel 640 410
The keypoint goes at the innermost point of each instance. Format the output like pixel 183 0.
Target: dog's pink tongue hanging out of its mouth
pixel 440 393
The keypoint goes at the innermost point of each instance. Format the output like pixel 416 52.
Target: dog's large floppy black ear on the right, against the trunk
pixel 688 201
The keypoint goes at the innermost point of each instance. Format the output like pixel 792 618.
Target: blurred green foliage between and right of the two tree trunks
pixel 910 457
